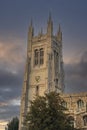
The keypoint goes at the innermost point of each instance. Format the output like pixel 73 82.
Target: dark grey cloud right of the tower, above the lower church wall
pixel 76 75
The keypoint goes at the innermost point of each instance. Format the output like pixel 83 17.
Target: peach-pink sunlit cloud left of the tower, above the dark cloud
pixel 12 54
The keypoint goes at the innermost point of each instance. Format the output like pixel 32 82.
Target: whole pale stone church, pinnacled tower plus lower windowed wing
pixel 44 73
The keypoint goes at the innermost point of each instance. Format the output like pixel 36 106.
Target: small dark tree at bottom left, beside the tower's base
pixel 13 124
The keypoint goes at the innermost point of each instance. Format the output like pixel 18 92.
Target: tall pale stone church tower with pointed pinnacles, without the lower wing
pixel 44 66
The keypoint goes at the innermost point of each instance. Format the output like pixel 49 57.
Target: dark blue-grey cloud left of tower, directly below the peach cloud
pixel 10 84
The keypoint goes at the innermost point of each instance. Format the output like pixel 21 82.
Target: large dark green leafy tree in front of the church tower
pixel 46 113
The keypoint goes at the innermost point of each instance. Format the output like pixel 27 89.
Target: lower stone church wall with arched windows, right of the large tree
pixel 77 108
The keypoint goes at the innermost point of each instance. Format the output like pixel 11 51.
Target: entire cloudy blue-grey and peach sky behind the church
pixel 15 17
